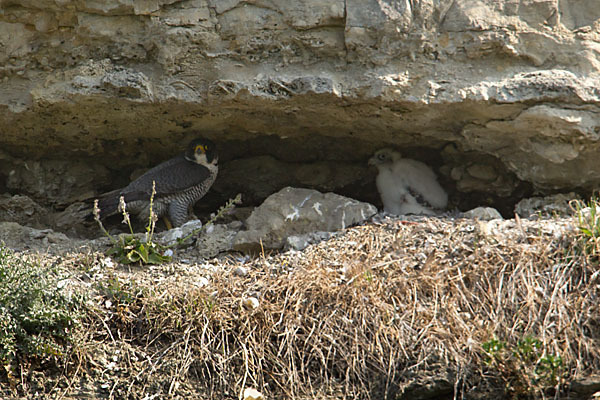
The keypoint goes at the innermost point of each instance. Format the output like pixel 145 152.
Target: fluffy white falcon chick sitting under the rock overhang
pixel 407 186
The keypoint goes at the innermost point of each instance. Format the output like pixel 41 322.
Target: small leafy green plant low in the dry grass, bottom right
pixel 526 367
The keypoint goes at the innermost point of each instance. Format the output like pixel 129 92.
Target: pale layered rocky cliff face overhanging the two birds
pixel 500 96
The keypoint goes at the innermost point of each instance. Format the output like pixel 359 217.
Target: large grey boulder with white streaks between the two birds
pixel 294 211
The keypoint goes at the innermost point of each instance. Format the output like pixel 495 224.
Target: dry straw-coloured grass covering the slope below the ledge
pixel 375 312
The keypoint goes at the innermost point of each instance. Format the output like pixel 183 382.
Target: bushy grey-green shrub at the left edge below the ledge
pixel 37 314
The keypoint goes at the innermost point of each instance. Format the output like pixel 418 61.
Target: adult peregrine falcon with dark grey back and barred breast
pixel 180 183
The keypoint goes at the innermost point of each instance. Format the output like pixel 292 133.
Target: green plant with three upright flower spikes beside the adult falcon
pixel 129 248
